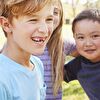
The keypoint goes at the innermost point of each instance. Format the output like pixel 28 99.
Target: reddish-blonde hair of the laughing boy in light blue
pixel 17 8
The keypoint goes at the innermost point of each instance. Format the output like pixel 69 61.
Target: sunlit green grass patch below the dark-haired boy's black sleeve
pixel 73 91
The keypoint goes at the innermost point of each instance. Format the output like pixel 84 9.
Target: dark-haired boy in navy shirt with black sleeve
pixel 86 67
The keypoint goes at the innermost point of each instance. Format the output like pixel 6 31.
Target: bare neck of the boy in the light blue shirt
pixel 18 56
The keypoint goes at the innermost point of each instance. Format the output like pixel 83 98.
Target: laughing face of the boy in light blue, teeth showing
pixel 31 33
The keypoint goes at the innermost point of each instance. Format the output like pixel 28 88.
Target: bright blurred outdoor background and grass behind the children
pixel 72 90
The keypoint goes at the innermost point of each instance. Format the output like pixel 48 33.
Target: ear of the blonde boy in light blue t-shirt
pixel 5 24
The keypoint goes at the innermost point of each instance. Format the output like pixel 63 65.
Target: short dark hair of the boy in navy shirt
pixel 90 14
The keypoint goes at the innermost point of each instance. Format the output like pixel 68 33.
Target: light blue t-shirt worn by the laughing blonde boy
pixel 19 83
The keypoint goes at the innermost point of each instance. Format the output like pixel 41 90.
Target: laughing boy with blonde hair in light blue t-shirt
pixel 28 30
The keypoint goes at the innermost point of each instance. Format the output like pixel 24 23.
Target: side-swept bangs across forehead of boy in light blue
pixel 27 7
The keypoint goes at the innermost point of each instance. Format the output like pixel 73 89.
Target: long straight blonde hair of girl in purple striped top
pixel 55 47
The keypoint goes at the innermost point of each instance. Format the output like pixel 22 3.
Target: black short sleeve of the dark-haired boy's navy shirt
pixel 71 69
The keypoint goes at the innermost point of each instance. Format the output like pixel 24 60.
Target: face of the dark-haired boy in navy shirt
pixel 87 37
